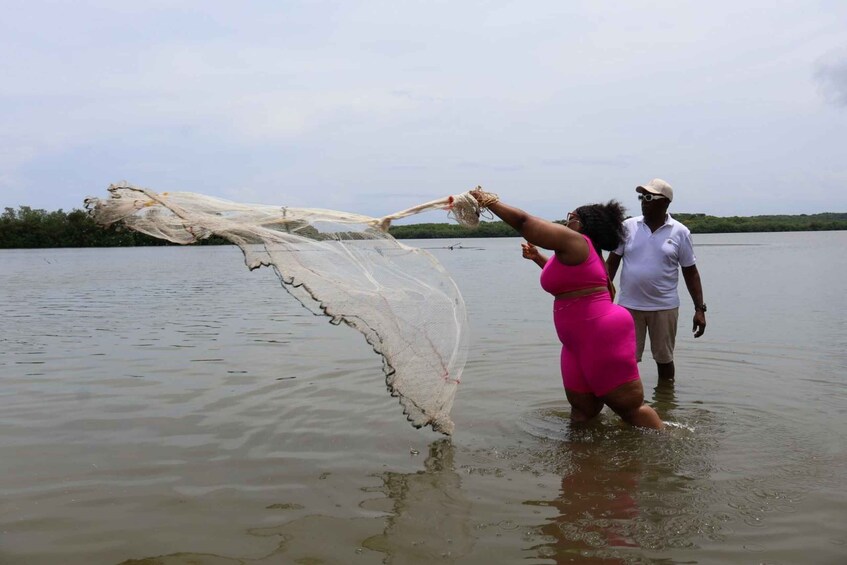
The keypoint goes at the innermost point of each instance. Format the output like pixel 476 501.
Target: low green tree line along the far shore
pixel 34 228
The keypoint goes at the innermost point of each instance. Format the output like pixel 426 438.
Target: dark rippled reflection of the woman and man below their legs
pixel 625 493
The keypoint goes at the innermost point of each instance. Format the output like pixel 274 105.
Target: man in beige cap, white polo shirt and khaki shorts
pixel 655 248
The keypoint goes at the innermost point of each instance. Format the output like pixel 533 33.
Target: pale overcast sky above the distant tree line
pixel 375 106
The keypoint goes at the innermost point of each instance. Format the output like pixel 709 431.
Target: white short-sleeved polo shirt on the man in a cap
pixel 650 264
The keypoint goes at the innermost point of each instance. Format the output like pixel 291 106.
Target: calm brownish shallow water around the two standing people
pixel 166 405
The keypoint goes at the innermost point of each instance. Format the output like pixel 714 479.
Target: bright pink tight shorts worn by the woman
pixel 598 344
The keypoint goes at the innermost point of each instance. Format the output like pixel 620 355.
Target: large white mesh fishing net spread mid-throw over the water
pixel 341 265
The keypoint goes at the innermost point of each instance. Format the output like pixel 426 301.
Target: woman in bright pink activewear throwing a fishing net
pixel 598 336
